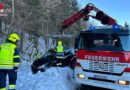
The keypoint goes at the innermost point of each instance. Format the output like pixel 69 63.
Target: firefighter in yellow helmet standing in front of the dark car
pixel 59 53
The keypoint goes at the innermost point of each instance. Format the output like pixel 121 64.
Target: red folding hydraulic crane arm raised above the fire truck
pixel 84 13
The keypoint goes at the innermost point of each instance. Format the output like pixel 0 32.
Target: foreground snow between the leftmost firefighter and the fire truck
pixel 53 79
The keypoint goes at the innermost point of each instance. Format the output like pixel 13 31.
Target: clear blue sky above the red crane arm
pixel 118 9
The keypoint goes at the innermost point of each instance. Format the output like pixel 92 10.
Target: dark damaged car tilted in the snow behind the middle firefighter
pixel 49 60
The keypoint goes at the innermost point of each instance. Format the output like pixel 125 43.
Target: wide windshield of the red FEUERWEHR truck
pixel 105 42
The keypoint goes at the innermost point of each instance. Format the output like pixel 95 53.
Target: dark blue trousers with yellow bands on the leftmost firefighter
pixel 12 75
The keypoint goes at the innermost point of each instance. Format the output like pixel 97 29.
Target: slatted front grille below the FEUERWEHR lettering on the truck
pixel 101 66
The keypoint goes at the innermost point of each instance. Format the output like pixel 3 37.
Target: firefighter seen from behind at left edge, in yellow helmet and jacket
pixel 9 62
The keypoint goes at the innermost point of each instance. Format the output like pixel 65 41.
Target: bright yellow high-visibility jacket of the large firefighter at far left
pixel 9 56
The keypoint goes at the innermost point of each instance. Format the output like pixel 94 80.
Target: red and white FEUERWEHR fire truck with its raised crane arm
pixel 103 52
